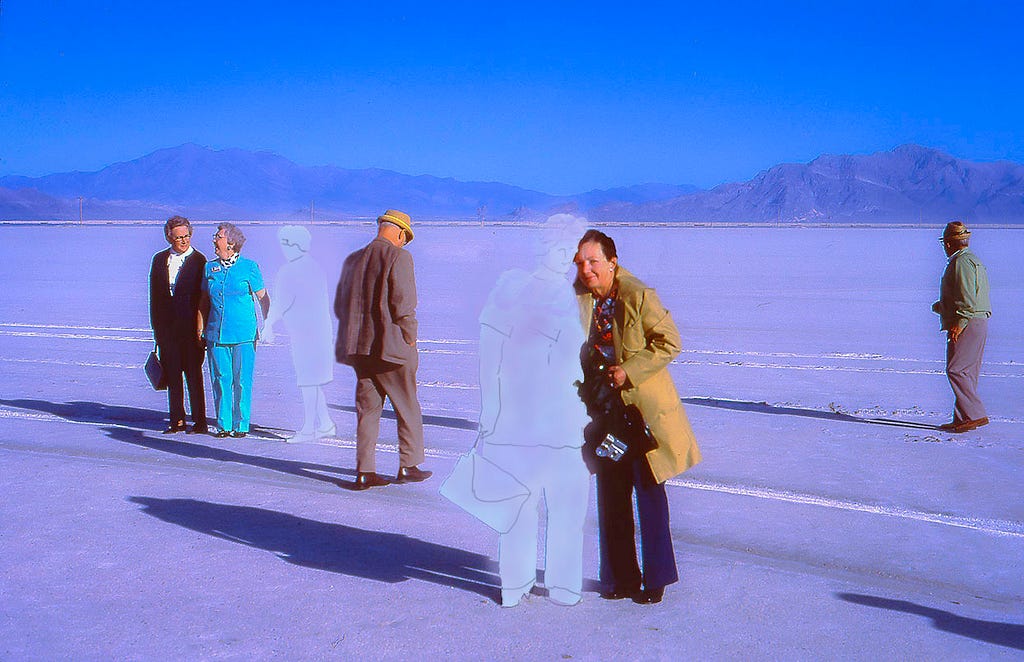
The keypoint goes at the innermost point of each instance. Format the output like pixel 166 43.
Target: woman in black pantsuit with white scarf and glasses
pixel 176 282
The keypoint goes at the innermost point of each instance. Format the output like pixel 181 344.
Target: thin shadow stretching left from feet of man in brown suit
pixel 200 451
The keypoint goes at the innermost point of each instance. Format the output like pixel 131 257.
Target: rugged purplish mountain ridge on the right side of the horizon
pixel 911 184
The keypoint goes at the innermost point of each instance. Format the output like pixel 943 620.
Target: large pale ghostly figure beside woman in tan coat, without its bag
pixel 532 418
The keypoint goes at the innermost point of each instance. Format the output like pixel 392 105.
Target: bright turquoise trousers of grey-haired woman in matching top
pixel 232 375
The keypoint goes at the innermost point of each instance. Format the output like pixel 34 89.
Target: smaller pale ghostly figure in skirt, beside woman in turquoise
pixel 301 299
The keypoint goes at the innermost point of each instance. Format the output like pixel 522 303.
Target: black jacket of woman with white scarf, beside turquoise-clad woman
pixel 174 318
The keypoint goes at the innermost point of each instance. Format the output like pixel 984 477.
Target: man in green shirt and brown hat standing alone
pixel 964 309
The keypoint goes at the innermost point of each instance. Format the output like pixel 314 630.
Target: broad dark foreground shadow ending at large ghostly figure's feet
pixel 381 557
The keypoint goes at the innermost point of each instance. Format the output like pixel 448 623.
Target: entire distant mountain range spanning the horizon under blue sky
pixel 911 184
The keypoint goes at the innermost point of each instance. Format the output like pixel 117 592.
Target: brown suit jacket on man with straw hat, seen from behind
pixel 376 306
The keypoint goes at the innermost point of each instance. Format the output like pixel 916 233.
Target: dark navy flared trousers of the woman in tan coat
pixel 617 484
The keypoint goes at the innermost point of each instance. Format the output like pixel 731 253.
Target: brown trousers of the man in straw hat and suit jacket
pixel 375 382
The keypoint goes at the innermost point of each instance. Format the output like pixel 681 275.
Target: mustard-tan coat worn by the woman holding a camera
pixel 647 341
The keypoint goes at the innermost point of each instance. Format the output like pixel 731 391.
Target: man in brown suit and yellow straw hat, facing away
pixel 376 309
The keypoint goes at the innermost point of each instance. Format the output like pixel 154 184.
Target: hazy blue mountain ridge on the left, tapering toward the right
pixel 236 184
